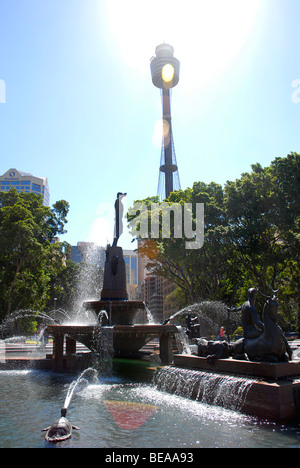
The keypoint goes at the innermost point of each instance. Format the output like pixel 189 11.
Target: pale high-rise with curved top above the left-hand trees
pixel 25 182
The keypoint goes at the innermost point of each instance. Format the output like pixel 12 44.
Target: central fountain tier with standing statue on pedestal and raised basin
pixel 115 312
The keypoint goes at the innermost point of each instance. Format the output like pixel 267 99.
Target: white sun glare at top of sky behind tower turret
pixel 206 35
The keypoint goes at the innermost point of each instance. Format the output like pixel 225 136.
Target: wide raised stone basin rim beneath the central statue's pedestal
pixel 127 339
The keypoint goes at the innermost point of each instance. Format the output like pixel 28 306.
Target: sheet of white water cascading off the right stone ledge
pixel 215 389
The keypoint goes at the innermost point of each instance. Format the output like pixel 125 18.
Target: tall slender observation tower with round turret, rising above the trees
pixel 165 75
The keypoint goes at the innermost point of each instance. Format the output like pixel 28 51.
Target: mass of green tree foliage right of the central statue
pixel 251 237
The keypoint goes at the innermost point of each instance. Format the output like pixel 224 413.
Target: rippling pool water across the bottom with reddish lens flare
pixel 31 400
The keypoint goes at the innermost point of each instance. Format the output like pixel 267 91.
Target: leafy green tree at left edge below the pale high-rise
pixel 27 254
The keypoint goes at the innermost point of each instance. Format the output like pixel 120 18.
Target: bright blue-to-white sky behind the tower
pixel 80 107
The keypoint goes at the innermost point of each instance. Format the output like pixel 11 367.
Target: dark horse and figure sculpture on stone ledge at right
pixel 262 358
